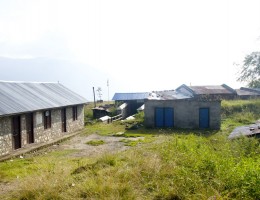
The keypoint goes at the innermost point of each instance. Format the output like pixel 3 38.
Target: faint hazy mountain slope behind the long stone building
pixel 78 77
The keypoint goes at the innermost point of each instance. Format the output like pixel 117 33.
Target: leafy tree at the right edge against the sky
pixel 250 71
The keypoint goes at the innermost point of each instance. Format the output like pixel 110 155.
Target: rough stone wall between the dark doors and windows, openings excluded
pixel 40 134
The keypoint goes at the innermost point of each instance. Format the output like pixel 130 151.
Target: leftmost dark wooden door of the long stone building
pixel 16 126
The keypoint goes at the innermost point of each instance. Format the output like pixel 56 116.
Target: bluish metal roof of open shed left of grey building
pixel 130 96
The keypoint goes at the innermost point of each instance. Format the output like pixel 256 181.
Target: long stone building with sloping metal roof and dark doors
pixel 36 113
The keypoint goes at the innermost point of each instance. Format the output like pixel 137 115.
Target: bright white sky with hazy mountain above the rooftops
pixel 138 45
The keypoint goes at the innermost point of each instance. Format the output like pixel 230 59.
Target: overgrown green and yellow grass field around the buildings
pixel 167 164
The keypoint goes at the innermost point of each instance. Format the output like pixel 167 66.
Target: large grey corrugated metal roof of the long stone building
pixel 20 97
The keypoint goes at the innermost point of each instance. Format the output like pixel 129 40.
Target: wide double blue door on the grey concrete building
pixel 164 117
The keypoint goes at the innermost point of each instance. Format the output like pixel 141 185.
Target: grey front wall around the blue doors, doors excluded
pixel 186 112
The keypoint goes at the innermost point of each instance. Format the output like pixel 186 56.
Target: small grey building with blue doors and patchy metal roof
pixel 175 109
